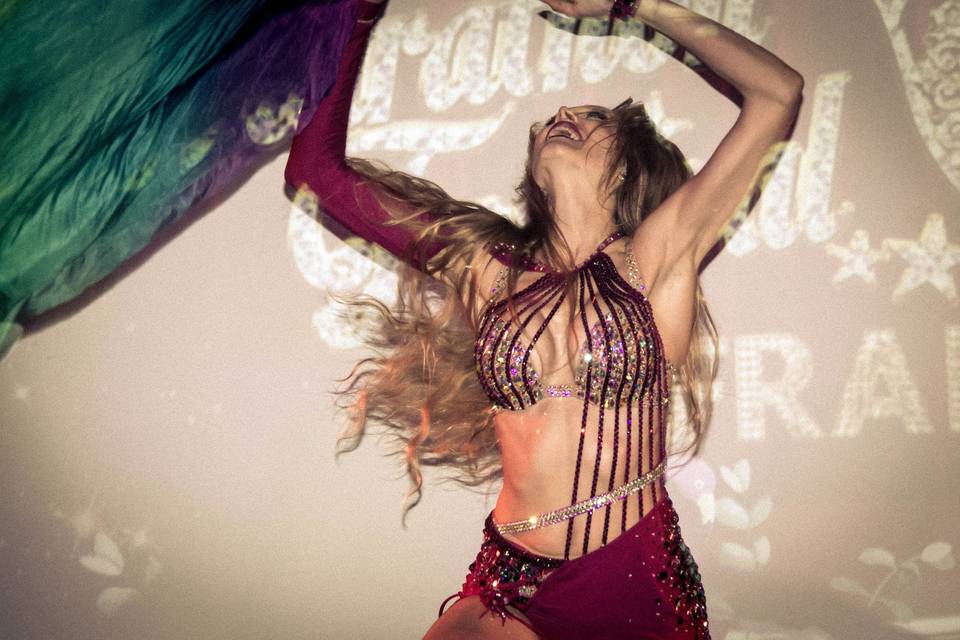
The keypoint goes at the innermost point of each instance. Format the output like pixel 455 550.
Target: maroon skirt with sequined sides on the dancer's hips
pixel 642 584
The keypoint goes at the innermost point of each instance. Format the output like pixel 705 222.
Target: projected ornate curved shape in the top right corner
pixel 933 82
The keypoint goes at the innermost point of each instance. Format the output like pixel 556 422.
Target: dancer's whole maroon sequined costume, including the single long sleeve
pixel 632 577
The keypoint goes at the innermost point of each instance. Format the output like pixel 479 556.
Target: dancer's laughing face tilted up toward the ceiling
pixel 574 142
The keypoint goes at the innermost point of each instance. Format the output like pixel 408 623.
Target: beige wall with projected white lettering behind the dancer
pixel 167 451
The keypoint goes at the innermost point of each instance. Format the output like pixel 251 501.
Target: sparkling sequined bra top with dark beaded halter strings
pixel 611 365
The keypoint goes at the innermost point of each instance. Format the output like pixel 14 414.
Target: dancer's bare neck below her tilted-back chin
pixel 582 221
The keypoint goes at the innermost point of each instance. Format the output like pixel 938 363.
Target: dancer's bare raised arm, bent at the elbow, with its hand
pixel 687 224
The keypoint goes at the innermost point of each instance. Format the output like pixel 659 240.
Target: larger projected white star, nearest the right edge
pixel 929 259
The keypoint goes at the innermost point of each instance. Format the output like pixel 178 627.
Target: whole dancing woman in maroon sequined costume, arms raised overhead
pixel 544 354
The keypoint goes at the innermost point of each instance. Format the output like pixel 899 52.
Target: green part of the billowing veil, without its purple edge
pixel 94 135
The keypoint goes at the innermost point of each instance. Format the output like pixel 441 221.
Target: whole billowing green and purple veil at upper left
pixel 117 118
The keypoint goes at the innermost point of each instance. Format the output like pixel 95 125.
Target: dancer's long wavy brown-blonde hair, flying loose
pixel 420 384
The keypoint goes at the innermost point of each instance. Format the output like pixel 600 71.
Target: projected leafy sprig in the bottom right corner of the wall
pixel 902 575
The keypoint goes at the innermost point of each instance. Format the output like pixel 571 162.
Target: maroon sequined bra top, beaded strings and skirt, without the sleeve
pixel 642 582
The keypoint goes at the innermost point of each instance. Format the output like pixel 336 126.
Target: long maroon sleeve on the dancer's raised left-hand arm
pixel 317 154
